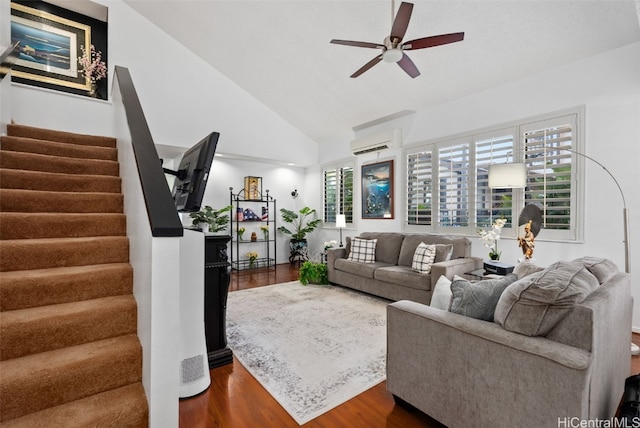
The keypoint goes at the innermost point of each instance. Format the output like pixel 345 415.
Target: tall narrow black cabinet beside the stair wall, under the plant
pixel 216 288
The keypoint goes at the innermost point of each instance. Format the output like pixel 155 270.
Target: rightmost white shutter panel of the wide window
pixel 550 172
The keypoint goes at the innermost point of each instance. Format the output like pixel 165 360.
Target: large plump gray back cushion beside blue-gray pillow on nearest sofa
pixel 534 304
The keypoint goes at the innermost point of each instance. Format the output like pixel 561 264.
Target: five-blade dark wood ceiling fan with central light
pixel 393 50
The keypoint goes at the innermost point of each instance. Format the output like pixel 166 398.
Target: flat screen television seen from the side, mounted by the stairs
pixel 192 174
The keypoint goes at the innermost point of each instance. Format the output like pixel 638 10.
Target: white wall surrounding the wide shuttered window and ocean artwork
pixel 608 85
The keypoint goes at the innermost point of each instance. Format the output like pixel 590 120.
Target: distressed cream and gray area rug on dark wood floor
pixel 312 347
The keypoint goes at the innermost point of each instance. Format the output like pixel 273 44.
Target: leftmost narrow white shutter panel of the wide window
pixel 419 188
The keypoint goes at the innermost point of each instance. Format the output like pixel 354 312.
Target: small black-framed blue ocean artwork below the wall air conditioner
pixel 377 190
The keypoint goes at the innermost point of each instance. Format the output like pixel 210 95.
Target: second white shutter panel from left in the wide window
pixel 453 176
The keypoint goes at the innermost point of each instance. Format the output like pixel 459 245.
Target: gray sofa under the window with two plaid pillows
pixel 391 275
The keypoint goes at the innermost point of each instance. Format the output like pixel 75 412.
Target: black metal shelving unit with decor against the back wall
pixel 265 246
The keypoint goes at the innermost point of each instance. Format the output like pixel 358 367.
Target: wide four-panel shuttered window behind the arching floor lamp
pixel 460 167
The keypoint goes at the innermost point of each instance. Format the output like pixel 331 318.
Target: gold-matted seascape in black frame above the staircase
pixel 52 40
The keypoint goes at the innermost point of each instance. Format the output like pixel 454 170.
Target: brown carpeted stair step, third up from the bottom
pixel 45 328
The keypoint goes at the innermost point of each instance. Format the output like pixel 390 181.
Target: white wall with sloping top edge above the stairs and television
pixel 184 98
